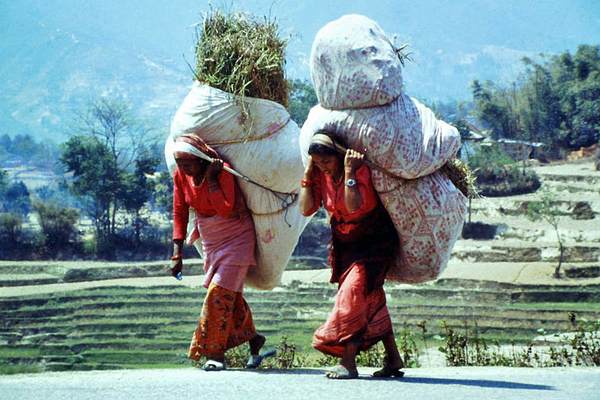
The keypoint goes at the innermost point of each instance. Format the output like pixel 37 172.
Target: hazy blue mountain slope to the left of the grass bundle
pixel 54 74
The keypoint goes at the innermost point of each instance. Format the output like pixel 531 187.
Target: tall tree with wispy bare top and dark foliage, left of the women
pixel 109 163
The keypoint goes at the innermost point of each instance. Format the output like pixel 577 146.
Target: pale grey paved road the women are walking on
pixel 431 384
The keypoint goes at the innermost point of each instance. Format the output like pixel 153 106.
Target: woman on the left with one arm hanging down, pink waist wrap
pixel 228 240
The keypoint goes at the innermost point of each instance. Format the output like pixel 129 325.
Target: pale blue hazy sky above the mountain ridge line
pixel 167 26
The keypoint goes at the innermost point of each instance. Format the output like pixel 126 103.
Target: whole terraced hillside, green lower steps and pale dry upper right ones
pixel 75 315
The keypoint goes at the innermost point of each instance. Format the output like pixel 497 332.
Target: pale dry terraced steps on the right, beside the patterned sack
pixel 520 242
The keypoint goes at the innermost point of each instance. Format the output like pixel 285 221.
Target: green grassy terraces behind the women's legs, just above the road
pixel 132 327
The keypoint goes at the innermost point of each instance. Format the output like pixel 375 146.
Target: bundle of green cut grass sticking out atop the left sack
pixel 242 56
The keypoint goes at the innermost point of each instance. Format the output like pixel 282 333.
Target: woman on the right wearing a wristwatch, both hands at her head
pixel 362 248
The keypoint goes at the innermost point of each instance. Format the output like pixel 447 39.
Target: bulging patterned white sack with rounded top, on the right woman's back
pixel 358 82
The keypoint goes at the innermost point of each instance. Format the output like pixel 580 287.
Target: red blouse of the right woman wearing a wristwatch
pixel 326 192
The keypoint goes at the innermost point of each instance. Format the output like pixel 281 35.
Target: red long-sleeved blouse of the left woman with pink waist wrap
pixel 206 203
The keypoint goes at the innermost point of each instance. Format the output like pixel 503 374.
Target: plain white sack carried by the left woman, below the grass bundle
pixel 263 148
